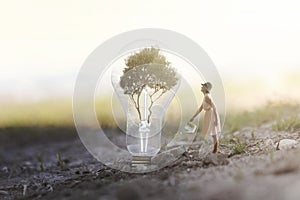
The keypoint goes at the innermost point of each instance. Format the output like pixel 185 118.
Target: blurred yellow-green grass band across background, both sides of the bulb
pixel 59 113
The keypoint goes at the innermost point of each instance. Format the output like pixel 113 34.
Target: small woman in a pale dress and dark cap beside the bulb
pixel 211 121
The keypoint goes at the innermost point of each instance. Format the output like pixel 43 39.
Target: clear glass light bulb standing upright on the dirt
pixel 145 93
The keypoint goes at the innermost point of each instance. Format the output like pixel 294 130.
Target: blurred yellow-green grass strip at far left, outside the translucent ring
pixel 56 112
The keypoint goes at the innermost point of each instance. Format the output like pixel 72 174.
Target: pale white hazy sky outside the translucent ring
pixel 253 44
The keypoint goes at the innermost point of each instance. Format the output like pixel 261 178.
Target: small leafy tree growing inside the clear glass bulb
pixel 147 69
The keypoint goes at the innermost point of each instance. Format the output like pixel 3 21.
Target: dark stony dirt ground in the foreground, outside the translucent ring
pixel 52 163
